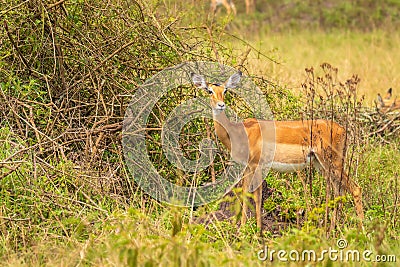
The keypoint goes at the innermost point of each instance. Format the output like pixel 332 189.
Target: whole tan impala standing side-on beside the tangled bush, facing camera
pixel 285 146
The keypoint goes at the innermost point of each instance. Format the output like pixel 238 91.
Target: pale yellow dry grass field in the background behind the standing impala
pixel 374 57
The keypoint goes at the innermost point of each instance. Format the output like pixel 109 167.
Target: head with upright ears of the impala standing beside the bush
pixel 216 91
